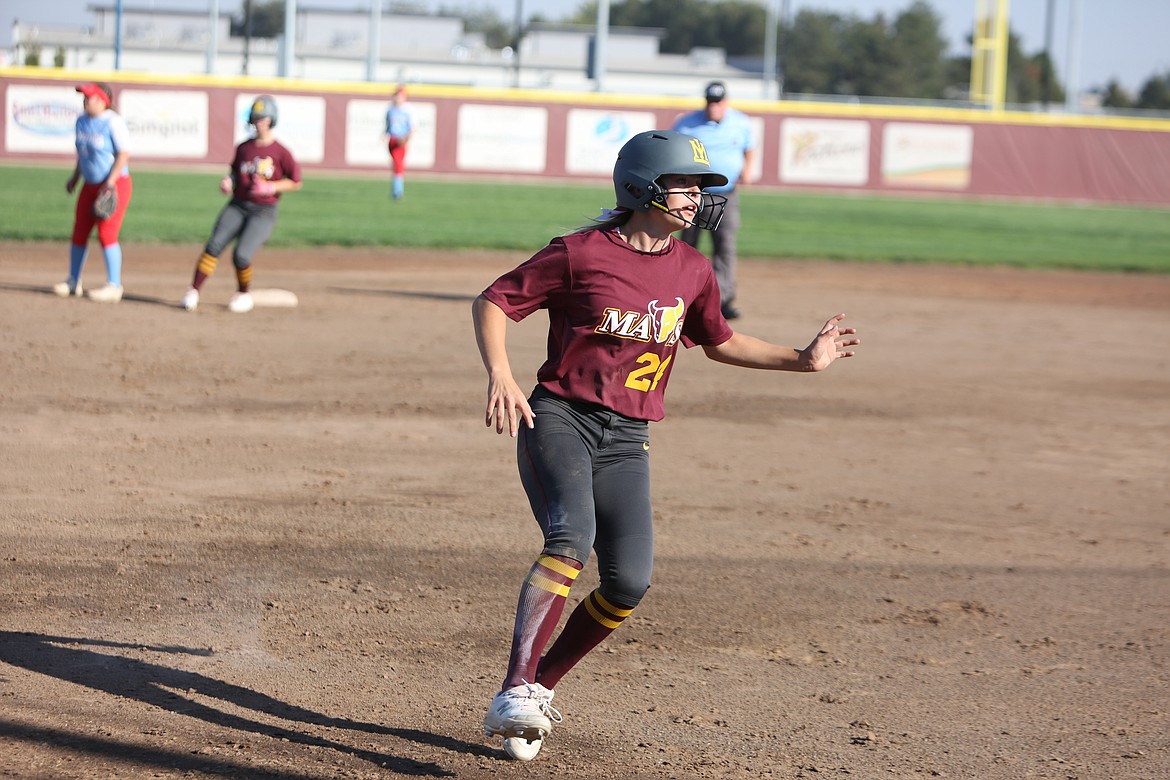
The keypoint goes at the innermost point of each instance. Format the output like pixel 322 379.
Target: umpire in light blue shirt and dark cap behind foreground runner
pixel 727 135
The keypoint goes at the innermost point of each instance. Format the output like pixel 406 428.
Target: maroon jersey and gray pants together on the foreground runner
pixel 616 319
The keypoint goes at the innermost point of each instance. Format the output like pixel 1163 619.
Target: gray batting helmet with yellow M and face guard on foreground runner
pixel 650 156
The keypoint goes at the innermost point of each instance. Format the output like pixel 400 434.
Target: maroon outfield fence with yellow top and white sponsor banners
pixel 531 134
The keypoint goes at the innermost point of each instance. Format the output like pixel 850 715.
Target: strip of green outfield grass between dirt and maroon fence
pixel 173 208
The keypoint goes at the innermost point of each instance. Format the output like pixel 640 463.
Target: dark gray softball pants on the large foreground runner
pixel 587 474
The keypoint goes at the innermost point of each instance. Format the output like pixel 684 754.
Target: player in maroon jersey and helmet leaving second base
pixel 261 171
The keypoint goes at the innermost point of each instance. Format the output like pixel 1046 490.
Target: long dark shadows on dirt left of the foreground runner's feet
pixel 72 660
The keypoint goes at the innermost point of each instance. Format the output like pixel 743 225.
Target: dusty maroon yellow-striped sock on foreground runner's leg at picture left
pixel 542 600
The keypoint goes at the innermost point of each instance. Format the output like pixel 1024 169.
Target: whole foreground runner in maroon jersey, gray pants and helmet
pixel 622 295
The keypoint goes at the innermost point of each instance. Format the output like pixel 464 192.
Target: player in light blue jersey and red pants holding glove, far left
pixel 104 156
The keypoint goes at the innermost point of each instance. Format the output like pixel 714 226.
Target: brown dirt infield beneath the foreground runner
pixel 283 546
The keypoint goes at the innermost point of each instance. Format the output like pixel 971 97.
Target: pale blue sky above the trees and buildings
pixel 1118 40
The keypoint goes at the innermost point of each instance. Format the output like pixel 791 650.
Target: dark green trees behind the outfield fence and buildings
pixel 820 53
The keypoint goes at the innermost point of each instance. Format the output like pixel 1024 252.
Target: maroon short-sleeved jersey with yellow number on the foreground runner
pixel 616 316
